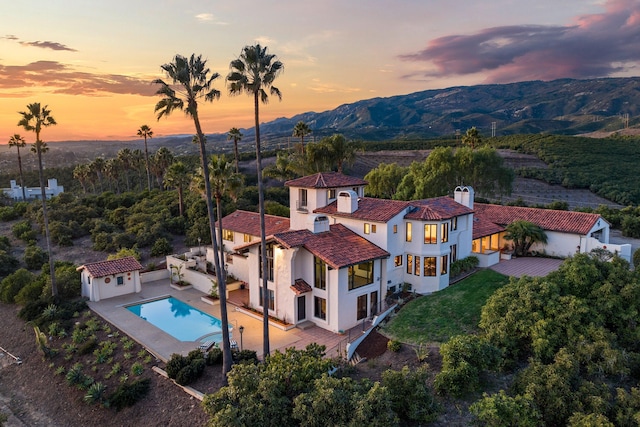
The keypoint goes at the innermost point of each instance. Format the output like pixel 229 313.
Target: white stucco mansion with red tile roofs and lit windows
pixel 340 253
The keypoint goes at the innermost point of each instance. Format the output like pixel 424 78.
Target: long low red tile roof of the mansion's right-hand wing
pixel 548 219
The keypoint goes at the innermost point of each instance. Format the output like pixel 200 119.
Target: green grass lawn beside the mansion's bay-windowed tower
pixel 452 311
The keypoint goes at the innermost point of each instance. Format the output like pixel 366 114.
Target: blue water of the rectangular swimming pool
pixel 179 319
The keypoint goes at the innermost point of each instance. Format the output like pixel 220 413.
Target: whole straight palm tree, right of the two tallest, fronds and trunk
pixel 253 73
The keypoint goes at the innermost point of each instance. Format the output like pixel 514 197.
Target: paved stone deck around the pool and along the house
pixel 163 345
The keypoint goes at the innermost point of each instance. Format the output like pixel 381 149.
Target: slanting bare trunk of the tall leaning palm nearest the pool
pixel 222 287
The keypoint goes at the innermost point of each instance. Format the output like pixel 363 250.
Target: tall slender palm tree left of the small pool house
pixel 33 120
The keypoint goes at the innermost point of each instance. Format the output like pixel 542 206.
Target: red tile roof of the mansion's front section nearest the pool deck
pixel 339 247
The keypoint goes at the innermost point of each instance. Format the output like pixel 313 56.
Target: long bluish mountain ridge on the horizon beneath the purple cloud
pixel 564 106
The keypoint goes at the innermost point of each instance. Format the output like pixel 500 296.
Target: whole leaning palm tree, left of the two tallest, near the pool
pixel 190 82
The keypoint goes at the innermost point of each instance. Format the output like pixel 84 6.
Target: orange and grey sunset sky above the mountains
pixel 92 62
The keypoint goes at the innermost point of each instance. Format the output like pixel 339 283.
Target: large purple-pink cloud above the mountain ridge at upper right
pixel 594 46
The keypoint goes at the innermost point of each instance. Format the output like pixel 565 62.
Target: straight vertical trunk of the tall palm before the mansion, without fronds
pixel 263 243
